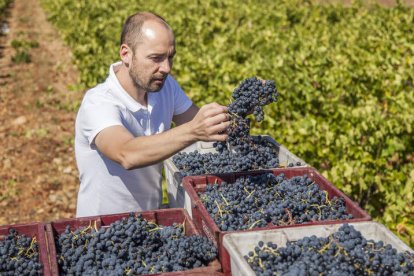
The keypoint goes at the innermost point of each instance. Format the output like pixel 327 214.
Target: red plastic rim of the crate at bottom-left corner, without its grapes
pixel 32 230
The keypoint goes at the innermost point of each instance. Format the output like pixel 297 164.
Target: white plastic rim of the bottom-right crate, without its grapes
pixel 239 244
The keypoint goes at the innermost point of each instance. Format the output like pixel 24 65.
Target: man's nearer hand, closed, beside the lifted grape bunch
pixel 210 123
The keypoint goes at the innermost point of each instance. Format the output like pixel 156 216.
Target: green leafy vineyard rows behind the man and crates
pixel 345 76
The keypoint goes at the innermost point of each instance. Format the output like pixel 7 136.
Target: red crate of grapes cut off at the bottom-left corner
pixel 23 250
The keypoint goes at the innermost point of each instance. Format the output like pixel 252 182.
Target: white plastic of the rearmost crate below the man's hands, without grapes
pixel 176 195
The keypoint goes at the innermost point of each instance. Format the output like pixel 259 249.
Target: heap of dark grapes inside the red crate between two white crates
pixel 266 199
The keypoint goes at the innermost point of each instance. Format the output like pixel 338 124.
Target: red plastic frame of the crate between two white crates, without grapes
pixel 203 220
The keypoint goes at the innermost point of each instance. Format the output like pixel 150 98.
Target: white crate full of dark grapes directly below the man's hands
pixel 202 158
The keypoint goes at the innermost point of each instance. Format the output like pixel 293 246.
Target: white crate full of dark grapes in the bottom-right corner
pixel 361 248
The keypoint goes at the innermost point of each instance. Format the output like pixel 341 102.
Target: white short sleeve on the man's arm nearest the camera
pixel 94 117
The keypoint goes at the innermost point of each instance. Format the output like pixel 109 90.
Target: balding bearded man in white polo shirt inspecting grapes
pixel 123 125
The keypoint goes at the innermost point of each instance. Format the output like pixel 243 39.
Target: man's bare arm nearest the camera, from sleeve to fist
pixel 119 145
